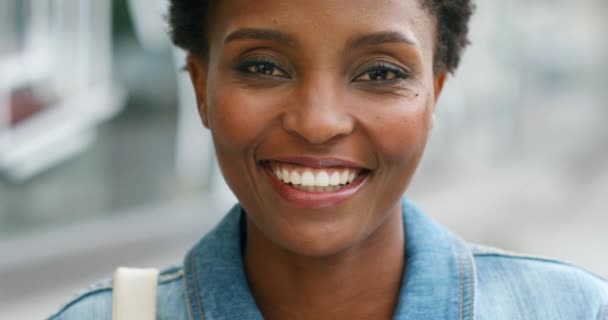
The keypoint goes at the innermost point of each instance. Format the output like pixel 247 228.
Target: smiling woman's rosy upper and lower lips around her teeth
pixel 316 200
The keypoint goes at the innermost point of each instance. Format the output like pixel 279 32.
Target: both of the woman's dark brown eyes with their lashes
pixel 252 67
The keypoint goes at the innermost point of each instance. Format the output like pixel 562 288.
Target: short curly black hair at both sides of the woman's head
pixel 188 19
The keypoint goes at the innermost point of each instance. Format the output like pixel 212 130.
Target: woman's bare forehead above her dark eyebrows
pixel 325 21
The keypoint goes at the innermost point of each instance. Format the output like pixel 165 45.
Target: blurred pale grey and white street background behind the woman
pixel 104 162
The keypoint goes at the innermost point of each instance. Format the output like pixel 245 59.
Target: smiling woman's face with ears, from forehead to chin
pixel 319 111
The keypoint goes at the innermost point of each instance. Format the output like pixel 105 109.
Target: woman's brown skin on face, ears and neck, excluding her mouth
pixel 277 84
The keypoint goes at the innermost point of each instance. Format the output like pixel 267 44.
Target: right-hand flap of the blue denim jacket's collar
pixel 438 277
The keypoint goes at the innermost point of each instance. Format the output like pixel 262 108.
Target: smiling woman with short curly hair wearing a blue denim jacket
pixel 320 111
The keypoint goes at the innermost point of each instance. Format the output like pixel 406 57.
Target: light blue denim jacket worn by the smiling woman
pixel 444 278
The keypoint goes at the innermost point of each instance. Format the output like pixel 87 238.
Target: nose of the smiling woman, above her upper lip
pixel 318 114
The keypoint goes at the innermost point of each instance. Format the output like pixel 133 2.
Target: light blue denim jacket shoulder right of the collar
pixel 546 286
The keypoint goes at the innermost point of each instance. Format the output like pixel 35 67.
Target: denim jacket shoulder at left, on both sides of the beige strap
pixel 95 302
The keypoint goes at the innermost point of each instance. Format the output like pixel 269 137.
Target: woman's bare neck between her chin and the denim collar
pixel 362 282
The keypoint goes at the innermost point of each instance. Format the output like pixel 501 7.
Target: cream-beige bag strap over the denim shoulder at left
pixel 134 294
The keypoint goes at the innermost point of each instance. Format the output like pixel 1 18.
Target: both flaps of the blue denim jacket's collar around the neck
pixel 437 282
